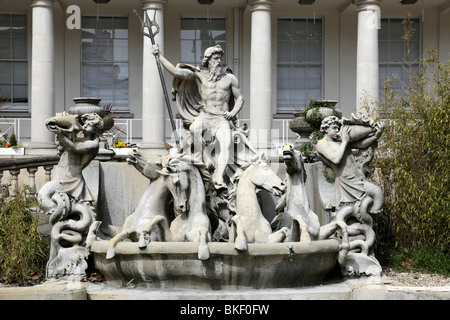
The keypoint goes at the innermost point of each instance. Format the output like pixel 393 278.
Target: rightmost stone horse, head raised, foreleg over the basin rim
pixel 306 225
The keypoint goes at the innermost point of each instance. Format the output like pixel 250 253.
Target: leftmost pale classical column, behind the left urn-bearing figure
pixel 42 77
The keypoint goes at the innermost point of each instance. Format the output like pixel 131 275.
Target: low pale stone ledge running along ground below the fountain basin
pixel 371 288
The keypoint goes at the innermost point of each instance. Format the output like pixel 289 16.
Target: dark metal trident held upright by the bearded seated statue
pixel 149 24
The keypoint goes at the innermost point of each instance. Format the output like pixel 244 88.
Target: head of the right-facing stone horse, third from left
pixel 263 176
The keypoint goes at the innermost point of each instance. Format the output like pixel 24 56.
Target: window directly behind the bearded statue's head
pixel 198 34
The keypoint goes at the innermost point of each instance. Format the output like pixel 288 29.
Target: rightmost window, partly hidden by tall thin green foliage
pixel 393 49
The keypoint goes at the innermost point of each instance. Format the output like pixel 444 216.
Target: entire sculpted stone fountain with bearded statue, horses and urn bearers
pixel 197 218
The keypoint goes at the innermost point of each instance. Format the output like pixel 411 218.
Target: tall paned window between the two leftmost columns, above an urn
pixel 104 61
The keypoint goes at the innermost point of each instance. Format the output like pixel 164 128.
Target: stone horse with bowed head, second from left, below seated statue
pixel 195 218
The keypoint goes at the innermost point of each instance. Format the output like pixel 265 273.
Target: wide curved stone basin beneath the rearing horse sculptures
pixel 175 265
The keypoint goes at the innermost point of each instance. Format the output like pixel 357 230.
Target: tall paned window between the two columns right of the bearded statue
pixel 299 63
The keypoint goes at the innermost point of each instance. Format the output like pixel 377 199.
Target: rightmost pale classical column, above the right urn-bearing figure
pixel 367 74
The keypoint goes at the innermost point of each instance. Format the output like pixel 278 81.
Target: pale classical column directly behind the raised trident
pixel 153 103
